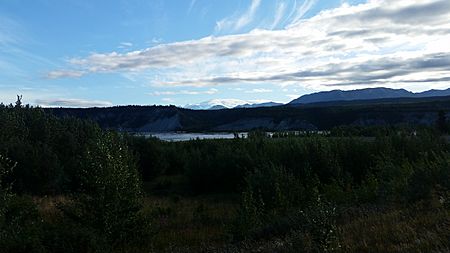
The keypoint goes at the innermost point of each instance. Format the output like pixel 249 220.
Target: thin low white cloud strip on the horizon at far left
pixel 71 102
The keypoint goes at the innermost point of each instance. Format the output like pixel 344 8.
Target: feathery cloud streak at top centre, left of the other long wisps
pixel 237 22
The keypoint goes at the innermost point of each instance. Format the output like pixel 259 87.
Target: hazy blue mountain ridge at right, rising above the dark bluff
pixel 365 94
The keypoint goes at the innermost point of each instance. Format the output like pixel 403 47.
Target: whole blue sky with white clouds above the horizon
pixel 83 53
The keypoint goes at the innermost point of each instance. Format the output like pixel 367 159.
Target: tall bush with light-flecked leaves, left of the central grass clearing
pixel 110 198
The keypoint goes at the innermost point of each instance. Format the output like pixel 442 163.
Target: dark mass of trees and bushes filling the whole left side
pixel 93 168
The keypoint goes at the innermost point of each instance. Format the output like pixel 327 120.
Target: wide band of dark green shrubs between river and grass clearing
pixel 340 166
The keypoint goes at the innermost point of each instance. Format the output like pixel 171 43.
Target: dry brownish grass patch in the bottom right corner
pixel 414 229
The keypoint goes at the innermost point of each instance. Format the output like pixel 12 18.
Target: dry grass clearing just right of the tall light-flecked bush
pixel 190 222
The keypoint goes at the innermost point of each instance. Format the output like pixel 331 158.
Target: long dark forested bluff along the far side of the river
pixel 316 116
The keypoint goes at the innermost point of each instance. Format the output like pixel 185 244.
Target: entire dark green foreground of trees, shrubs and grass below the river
pixel 67 185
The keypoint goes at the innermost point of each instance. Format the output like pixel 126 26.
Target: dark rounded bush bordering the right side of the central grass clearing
pixel 271 194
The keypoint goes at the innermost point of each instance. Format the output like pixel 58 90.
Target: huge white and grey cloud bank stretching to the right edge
pixel 392 43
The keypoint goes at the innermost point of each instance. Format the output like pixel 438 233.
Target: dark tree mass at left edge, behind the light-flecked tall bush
pixel 48 150
